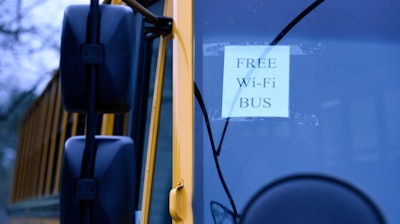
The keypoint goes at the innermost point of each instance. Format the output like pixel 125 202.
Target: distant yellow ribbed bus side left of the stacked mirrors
pixel 38 136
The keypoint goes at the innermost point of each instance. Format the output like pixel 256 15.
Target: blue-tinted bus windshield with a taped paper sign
pixel 292 87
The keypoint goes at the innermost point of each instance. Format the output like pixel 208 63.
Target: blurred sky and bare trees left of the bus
pixel 29 53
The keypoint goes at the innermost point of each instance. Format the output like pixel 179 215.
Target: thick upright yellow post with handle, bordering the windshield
pixel 182 118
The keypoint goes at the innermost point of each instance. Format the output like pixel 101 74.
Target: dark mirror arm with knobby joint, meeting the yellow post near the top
pixel 163 25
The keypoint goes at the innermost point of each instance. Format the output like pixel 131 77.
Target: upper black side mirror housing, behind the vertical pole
pixel 121 40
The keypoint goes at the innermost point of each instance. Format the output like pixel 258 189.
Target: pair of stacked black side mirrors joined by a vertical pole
pixel 98 69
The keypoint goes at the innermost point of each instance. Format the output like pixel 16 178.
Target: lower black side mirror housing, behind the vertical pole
pixel 114 174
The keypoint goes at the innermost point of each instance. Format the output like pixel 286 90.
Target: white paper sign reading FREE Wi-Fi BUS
pixel 256 81
